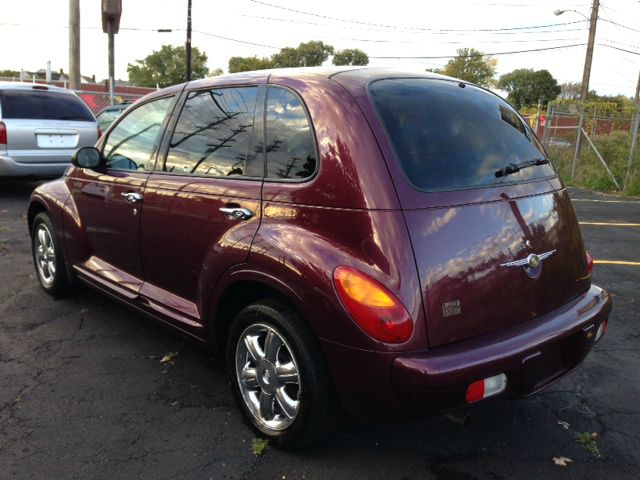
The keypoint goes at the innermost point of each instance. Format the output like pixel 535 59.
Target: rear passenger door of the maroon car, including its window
pixel 202 202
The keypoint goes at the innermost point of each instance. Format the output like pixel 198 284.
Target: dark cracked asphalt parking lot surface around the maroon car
pixel 83 393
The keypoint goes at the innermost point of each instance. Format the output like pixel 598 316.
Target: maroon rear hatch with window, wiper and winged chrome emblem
pixel 495 245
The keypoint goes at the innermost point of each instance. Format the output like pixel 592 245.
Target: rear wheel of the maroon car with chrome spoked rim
pixel 278 376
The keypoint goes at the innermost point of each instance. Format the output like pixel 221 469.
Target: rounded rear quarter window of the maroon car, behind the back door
pixel 290 146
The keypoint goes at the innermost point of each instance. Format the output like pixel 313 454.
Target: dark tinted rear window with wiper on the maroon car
pixel 447 137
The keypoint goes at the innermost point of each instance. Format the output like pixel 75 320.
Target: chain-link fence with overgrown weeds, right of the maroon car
pixel 607 157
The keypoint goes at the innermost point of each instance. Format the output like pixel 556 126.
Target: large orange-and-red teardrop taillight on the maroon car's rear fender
pixel 374 308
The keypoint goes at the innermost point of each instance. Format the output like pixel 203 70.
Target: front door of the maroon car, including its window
pixel 106 243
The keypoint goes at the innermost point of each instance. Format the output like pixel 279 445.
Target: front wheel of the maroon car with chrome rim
pixel 47 256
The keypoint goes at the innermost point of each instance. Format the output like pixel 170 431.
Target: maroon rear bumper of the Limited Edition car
pixel 533 355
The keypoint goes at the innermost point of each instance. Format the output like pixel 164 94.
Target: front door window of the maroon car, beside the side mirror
pixel 134 141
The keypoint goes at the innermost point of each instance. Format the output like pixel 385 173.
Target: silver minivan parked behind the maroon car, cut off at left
pixel 40 128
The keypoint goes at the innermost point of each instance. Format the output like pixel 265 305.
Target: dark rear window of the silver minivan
pixel 43 105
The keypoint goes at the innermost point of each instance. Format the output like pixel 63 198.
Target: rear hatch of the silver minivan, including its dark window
pixel 45 126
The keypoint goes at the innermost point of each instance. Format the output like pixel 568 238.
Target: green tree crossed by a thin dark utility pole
pixel 167 66
